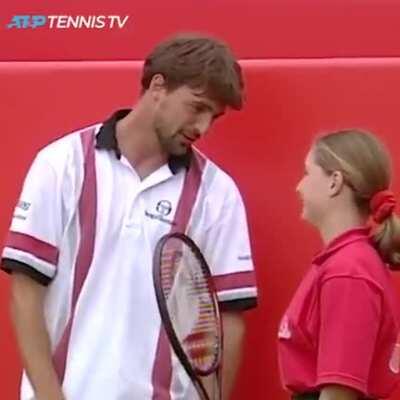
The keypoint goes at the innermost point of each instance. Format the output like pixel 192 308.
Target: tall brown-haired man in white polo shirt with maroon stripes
pixel 92 208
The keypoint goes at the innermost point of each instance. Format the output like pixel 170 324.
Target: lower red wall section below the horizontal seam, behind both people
pixel 262 147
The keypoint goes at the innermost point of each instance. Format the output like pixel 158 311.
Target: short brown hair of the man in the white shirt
pixel 200 62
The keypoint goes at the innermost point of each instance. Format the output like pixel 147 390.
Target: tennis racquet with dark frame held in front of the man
pixel 188 306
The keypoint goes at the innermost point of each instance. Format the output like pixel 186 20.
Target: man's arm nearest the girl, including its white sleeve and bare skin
pixel 226 247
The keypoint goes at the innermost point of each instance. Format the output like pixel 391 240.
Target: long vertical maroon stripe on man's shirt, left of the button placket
pixel 87 216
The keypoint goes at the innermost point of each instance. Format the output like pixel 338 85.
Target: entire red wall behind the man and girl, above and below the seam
pixel 290 98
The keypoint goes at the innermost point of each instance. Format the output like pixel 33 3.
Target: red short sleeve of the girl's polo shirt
pixel 350 311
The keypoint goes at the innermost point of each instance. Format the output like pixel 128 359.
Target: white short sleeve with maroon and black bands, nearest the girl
pixel 227 250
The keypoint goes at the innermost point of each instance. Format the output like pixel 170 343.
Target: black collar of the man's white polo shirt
pixel 106 139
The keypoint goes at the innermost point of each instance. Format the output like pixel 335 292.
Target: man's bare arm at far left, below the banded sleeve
pixel 27 298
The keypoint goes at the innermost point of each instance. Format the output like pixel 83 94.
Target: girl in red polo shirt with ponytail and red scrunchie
pixel 339 337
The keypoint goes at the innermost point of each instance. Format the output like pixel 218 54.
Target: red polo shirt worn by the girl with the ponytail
pixel 342 324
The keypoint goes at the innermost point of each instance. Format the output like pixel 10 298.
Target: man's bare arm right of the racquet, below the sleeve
pixel 234 330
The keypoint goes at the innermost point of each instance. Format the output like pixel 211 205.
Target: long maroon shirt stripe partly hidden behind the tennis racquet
pixel 162 368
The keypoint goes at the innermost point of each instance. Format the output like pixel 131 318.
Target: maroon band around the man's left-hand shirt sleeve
pixel 29 244
